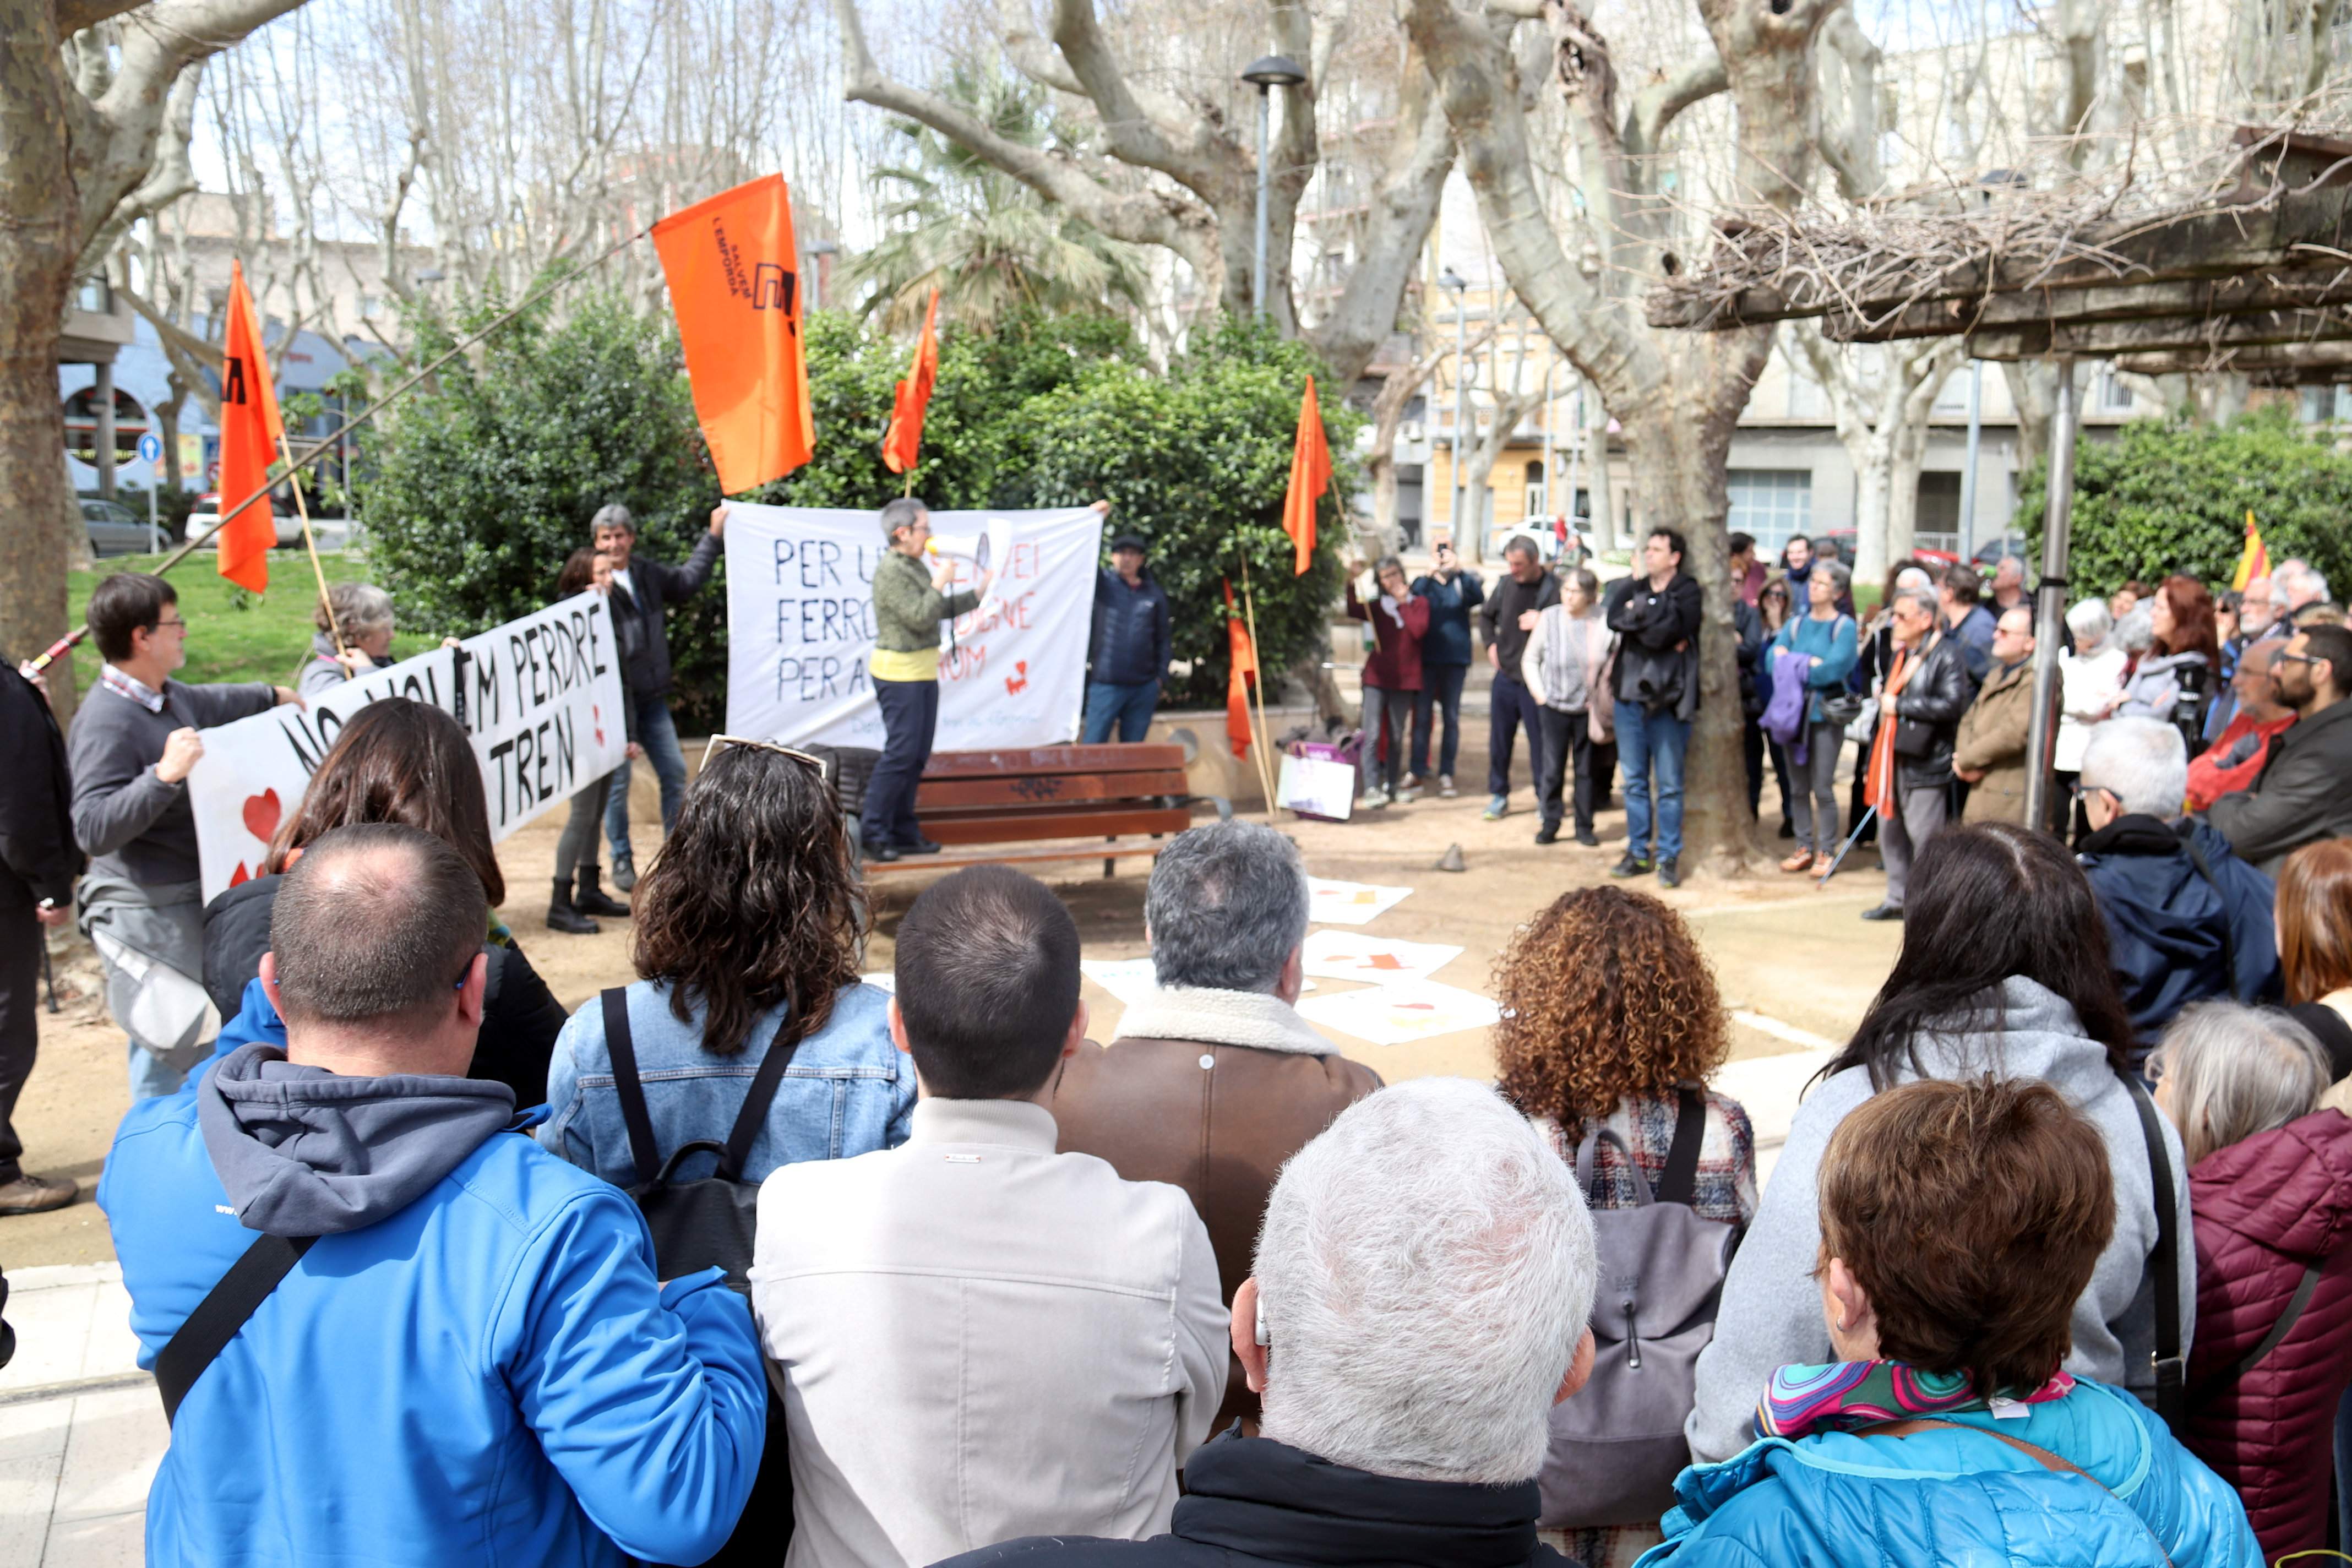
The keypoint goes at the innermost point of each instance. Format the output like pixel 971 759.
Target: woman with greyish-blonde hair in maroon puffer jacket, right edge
pixel 2271 1184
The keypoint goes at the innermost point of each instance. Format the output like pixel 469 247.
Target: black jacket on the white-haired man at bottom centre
pixel 1255 1503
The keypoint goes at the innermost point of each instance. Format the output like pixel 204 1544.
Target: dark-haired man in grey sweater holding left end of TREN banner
pixel 131 756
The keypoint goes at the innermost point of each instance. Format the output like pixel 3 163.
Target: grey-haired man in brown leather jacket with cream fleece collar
pixel 1215 1080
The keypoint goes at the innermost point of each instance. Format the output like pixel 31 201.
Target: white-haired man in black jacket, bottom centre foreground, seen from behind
pixel 1417 1311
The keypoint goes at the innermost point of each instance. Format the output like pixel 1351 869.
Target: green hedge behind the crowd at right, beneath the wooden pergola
pixel 2172 497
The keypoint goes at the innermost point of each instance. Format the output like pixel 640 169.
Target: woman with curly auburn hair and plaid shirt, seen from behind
pixel 1612 1024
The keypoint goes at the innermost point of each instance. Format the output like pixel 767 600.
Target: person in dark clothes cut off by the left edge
pixel 39 866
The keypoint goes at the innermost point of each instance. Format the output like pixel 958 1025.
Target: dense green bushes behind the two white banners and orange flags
pixel 488 481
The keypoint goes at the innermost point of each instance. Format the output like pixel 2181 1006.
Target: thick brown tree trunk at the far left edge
pixel 86 88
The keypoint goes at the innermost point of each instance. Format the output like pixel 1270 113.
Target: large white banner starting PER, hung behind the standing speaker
pixel 801 626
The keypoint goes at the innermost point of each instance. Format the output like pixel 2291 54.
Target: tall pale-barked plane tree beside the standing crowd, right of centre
pixel 1584 269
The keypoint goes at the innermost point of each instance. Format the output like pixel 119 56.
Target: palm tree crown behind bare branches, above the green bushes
pixel 980 236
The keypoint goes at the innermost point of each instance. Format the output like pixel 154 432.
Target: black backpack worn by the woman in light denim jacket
pixel 711 1224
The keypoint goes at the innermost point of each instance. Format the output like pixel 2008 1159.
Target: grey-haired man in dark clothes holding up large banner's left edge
pixel 641 598
